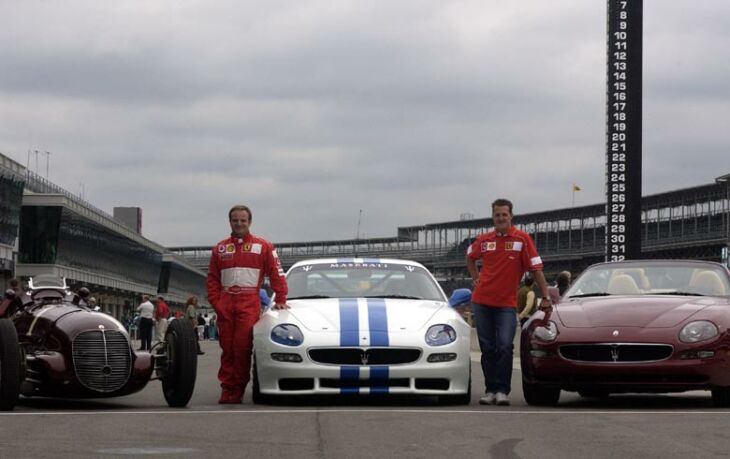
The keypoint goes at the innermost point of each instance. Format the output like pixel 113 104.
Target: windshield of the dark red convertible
pixel 652 278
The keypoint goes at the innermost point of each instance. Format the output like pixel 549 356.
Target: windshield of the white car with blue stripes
pixel 349 280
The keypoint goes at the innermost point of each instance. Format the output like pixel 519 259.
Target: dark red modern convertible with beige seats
pixel 637 326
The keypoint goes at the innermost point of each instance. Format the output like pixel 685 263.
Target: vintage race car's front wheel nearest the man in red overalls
pixel 182 363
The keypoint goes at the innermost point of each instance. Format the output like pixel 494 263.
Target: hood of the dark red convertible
pixel 630 311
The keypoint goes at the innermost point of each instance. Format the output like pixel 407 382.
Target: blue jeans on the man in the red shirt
pixel 496 331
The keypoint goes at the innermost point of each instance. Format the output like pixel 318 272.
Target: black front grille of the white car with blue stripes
pixel 357 356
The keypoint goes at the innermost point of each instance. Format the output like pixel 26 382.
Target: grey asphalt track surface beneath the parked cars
pixel 629 426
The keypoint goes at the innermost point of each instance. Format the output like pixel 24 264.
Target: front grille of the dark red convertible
pixel 616 352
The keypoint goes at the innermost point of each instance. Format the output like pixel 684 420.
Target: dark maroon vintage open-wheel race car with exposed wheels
pixel 53 345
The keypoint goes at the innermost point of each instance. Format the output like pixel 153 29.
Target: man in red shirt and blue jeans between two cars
pixel 506 254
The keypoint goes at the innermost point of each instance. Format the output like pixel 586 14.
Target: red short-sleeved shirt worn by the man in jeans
pixel 505 258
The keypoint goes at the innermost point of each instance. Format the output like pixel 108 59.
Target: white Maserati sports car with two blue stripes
pixel 363 326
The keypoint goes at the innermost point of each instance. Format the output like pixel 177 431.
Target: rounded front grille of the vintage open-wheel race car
pixel 102 359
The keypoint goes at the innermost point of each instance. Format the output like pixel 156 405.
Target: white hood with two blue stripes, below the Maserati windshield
pixel 392 315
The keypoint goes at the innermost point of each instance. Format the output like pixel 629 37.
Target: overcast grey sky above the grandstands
pixel 308 111
